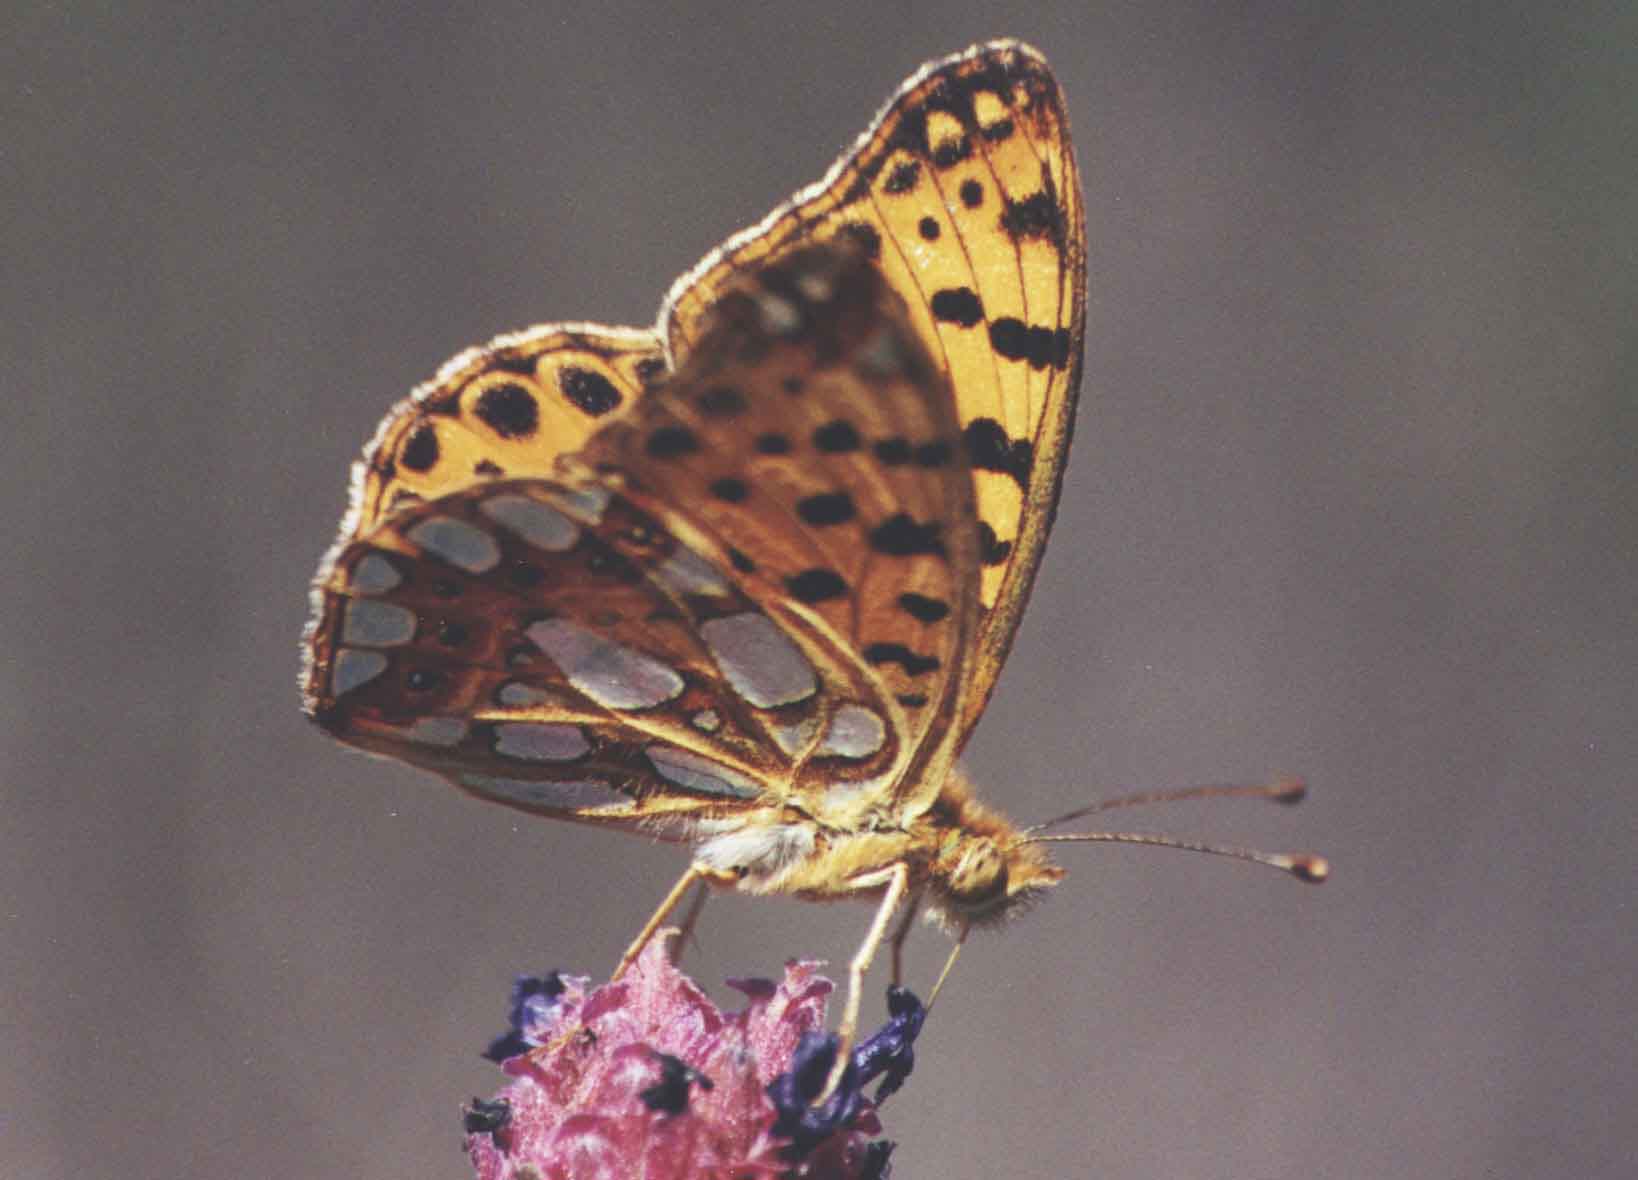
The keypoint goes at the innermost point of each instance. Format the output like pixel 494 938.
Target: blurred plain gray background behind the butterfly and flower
pixel 1354 496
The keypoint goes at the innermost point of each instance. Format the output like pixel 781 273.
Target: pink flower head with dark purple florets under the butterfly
pixel 648 1078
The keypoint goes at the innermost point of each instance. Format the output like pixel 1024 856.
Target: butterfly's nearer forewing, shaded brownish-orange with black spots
pixel 812 447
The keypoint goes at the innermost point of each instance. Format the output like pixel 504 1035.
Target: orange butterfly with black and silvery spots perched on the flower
pixel 746 581
